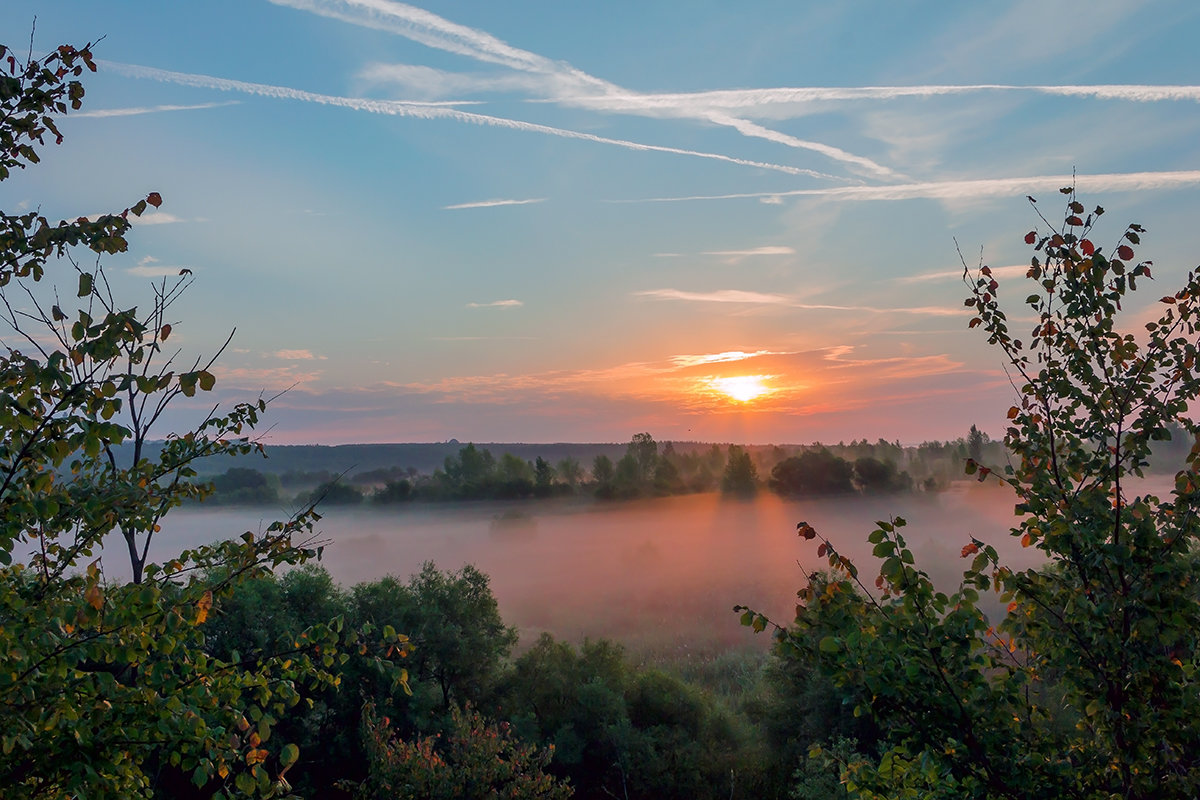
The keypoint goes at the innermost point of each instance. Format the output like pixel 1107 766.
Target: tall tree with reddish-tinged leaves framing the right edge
pixel 1085 687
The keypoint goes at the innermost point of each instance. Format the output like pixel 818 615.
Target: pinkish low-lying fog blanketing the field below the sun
pixel 657 575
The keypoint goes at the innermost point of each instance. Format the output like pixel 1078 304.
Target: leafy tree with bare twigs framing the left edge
pixel 106 690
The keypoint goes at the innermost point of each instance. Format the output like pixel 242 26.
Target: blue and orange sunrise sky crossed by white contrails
pixel 542 221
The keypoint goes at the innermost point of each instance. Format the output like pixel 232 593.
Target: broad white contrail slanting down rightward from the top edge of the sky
pixel 559 81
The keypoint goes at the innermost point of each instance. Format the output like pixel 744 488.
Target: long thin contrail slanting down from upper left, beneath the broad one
pixel 424 111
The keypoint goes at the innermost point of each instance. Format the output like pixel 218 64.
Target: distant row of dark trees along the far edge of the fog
pixel 643 468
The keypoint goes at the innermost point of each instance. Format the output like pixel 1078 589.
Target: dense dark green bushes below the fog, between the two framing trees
pixel 740 726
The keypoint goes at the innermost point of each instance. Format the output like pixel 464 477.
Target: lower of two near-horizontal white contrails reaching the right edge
pixel 968 190
